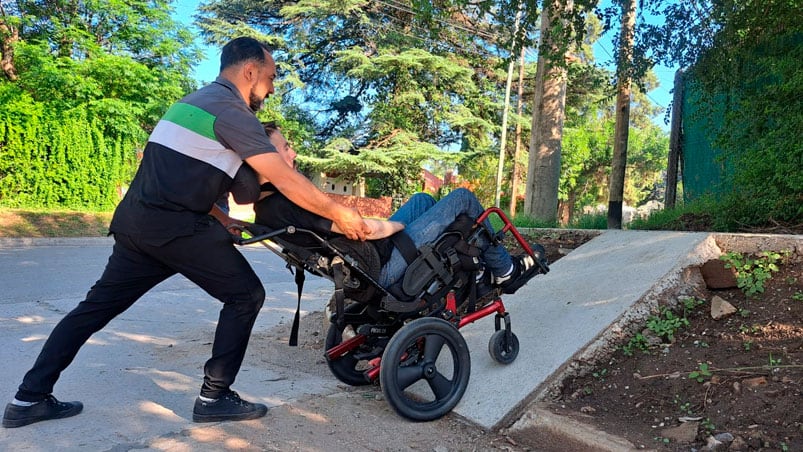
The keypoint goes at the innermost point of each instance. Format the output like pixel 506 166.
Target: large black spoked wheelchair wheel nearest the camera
pixel 425 369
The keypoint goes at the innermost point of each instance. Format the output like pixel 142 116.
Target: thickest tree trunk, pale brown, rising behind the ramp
pixel 543 173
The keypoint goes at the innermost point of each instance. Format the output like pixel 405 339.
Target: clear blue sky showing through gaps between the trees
pixel 207 69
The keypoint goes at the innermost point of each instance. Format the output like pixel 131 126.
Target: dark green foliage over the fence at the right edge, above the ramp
pixel 748 59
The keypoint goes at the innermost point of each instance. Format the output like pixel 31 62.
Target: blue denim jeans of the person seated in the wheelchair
pixel 424 220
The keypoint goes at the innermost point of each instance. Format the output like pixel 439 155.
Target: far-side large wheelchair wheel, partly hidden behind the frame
pixel 349 368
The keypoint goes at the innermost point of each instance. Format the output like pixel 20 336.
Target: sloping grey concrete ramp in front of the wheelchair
pixel 560 316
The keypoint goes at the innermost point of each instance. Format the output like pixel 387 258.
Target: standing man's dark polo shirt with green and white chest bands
pixel 189 162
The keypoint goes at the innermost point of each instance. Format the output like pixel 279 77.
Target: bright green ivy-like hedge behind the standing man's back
pixel 79 158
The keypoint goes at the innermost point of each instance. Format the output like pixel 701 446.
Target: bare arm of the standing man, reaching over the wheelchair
pixel 306 195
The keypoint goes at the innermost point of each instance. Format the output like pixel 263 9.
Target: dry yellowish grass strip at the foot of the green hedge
pixel 18 223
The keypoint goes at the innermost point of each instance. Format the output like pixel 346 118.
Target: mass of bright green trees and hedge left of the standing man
pixel 93 79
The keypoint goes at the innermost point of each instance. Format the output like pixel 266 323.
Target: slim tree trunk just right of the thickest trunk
pixel 616 185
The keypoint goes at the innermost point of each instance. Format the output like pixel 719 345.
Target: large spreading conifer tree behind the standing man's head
pixel 376 74
